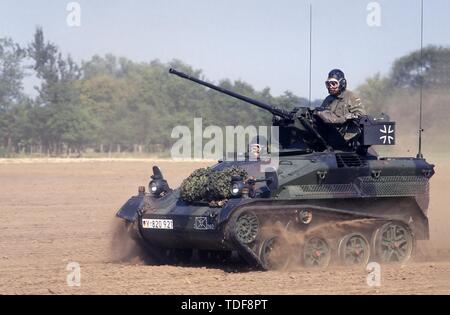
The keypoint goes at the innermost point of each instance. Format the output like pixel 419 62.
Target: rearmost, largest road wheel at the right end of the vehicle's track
pixel 393 242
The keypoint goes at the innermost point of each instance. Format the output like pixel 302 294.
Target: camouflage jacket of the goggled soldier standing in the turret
pixel 334 109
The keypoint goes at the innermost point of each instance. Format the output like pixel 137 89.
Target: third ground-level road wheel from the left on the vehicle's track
pixel 354 250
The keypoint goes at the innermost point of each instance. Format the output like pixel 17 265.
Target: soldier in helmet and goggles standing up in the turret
pixel 341 105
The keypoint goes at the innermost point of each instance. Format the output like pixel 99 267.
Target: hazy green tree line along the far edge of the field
pixel 113 104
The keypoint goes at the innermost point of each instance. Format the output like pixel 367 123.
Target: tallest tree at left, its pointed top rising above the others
pixel 63 126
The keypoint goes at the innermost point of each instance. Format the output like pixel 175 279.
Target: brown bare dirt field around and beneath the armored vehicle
pixel 53 213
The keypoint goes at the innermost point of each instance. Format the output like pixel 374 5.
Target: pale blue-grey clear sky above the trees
pixel 262 42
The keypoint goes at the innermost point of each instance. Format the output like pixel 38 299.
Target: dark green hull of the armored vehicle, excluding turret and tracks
pixel 349 187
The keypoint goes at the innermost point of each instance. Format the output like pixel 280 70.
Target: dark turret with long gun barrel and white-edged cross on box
pixel 300 130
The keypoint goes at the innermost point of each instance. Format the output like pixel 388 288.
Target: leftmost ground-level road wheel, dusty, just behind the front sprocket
pixel 274 254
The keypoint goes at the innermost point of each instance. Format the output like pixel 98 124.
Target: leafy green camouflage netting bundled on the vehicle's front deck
pixel 205 184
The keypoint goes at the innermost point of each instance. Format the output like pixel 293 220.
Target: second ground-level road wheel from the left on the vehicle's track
pixel 316 252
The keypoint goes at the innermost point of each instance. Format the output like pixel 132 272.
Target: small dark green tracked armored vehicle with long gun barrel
pixel 330 199
